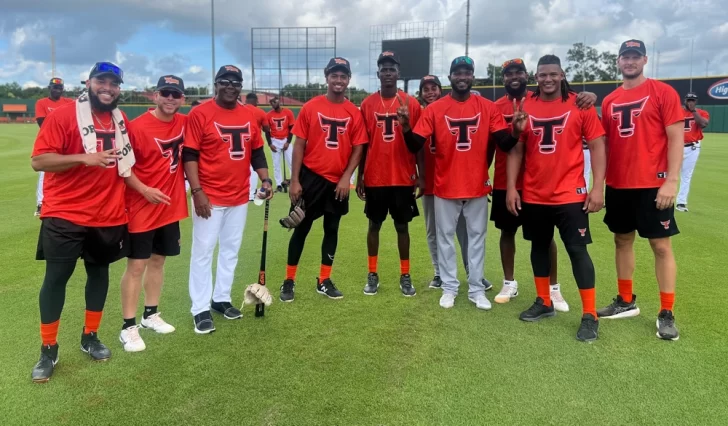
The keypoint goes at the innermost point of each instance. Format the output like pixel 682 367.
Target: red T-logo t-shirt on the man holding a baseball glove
pixel 331 131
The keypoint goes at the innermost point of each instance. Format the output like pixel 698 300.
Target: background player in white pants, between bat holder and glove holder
pixel 280 122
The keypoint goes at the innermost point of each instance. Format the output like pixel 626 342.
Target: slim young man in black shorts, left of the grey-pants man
pixel 387 171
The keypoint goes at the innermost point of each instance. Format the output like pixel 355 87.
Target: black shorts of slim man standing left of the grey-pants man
pixel 397 201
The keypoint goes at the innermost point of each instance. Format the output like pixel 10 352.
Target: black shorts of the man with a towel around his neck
pixel 64 241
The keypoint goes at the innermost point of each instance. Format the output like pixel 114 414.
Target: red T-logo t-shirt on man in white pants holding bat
pixel 225 139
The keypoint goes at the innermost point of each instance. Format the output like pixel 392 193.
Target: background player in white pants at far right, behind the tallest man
pixel 695 121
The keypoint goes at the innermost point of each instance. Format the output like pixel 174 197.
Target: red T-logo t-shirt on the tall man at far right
pixel 635 122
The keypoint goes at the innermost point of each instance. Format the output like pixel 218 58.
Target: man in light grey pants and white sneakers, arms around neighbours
pixel 460 126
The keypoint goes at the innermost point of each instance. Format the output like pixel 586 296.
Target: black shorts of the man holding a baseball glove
pixel 319 195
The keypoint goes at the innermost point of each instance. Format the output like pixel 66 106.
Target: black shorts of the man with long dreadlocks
pixel 539 221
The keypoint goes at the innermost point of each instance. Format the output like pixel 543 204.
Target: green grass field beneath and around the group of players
pixel 374 360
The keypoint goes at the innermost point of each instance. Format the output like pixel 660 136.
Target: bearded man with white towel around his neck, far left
pixel 83 211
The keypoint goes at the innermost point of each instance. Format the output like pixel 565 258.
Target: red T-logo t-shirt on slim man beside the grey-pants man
pixel 389 162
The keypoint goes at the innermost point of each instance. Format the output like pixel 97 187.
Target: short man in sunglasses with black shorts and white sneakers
pixel 156 200
